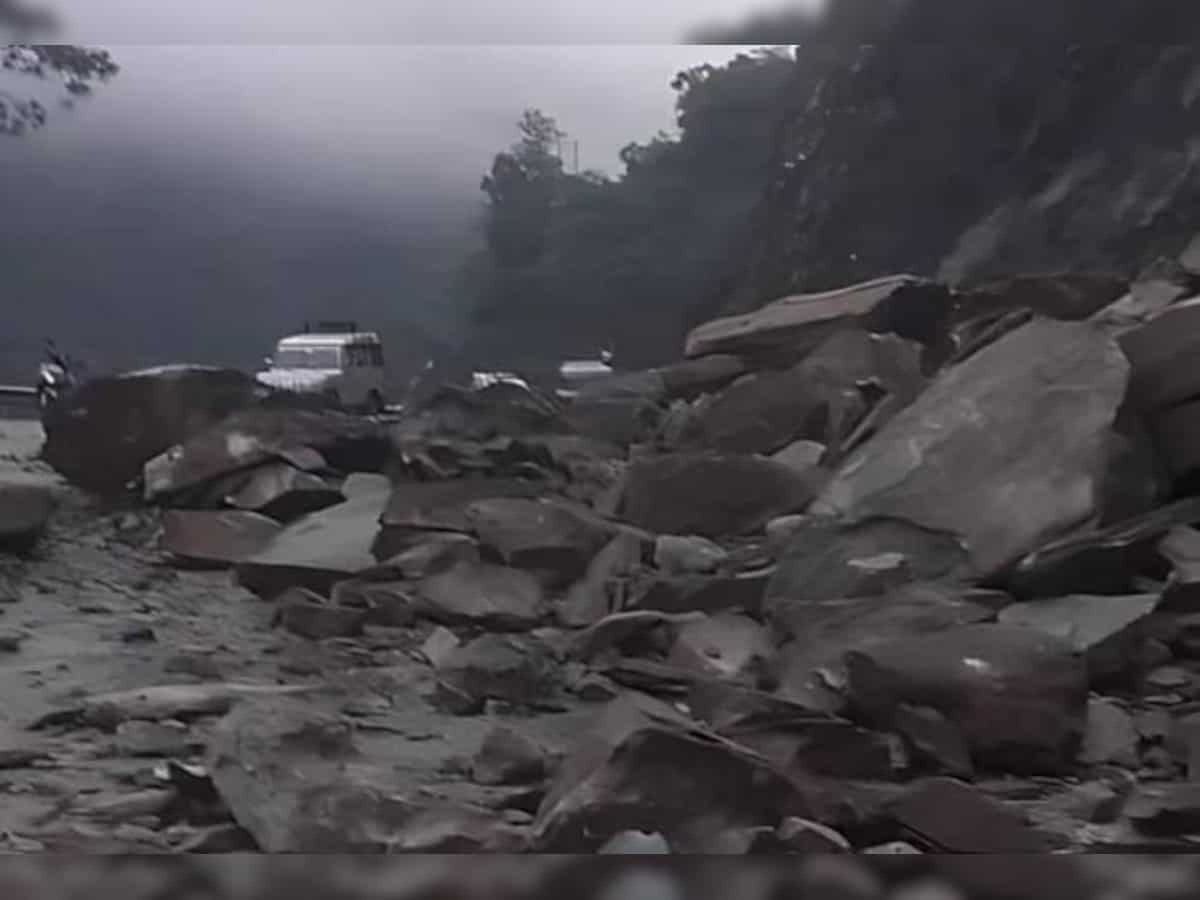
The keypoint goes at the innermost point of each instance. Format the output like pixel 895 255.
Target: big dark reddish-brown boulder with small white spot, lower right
pixel 1018 697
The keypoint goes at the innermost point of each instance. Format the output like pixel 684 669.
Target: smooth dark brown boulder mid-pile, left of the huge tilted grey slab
pixel 712 495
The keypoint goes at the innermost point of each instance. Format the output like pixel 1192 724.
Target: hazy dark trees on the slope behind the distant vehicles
pixel 574 262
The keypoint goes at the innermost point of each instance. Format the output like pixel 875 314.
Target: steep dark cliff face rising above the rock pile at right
pixel 969 139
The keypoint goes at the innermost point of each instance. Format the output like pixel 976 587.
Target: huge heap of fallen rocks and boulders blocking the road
pixel 896 569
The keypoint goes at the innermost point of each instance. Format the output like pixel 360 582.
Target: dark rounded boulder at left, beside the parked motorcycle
pixel 101 435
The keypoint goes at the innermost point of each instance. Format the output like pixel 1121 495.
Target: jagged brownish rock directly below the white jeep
pixel 256 436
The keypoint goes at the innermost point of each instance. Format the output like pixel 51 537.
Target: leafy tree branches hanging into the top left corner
pixel 79 68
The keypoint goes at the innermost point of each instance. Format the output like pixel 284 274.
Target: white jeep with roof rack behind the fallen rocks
pixel 337 362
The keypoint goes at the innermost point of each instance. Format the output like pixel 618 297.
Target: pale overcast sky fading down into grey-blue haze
pixel 238 130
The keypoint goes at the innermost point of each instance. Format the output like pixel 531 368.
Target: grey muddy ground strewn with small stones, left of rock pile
pixel 98 609
